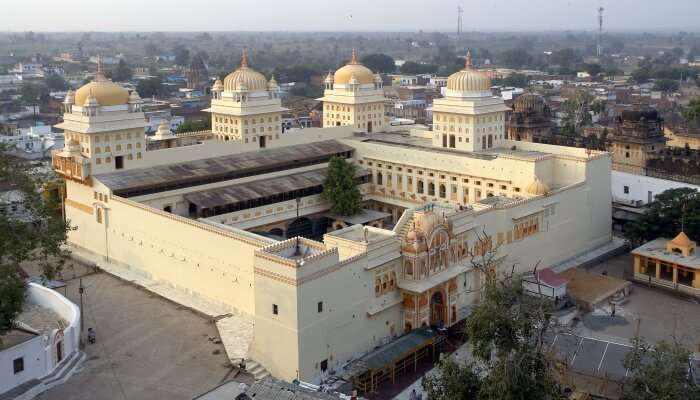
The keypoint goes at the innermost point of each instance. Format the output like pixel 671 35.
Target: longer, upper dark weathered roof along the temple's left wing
pixel 218 169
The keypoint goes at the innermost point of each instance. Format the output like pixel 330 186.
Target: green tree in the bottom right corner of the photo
pixel 659 372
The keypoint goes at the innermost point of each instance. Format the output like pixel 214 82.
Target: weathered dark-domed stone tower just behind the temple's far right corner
pixel 637 138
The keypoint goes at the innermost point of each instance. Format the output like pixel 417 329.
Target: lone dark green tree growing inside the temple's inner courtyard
pixel 340 188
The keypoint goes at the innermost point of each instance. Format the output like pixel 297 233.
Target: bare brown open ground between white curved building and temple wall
pixel 147 347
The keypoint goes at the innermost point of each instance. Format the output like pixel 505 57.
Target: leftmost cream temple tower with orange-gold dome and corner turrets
pixel 108 124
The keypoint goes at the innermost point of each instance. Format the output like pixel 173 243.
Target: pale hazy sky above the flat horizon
pixel 346 15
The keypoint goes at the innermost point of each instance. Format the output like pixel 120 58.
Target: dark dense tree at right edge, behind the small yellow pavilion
pixel 665 215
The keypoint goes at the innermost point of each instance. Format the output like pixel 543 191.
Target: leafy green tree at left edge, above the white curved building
pixel 35 234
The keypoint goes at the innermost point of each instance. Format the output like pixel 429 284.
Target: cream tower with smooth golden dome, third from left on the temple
pixel 354 96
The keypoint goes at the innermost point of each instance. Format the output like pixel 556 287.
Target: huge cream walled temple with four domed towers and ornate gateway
pixel 217 213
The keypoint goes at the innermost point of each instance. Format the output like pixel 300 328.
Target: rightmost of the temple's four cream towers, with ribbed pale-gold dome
pixel 469 117
